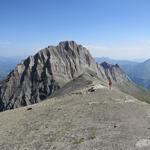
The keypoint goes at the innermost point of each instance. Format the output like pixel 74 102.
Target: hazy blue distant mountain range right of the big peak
pixel 138 72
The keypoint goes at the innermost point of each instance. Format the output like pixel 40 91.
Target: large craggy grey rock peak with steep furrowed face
pixel 40 75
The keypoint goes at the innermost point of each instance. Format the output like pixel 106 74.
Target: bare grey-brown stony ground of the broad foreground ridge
pixel 81 120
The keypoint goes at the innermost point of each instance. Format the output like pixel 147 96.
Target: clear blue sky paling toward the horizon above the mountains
pixel 114 28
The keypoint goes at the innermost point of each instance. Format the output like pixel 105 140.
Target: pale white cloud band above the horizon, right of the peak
pixel 120 52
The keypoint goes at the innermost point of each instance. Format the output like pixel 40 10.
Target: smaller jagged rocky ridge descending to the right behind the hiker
pixel 124 83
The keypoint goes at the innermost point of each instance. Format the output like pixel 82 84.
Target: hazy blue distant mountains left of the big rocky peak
pixel 8 64
